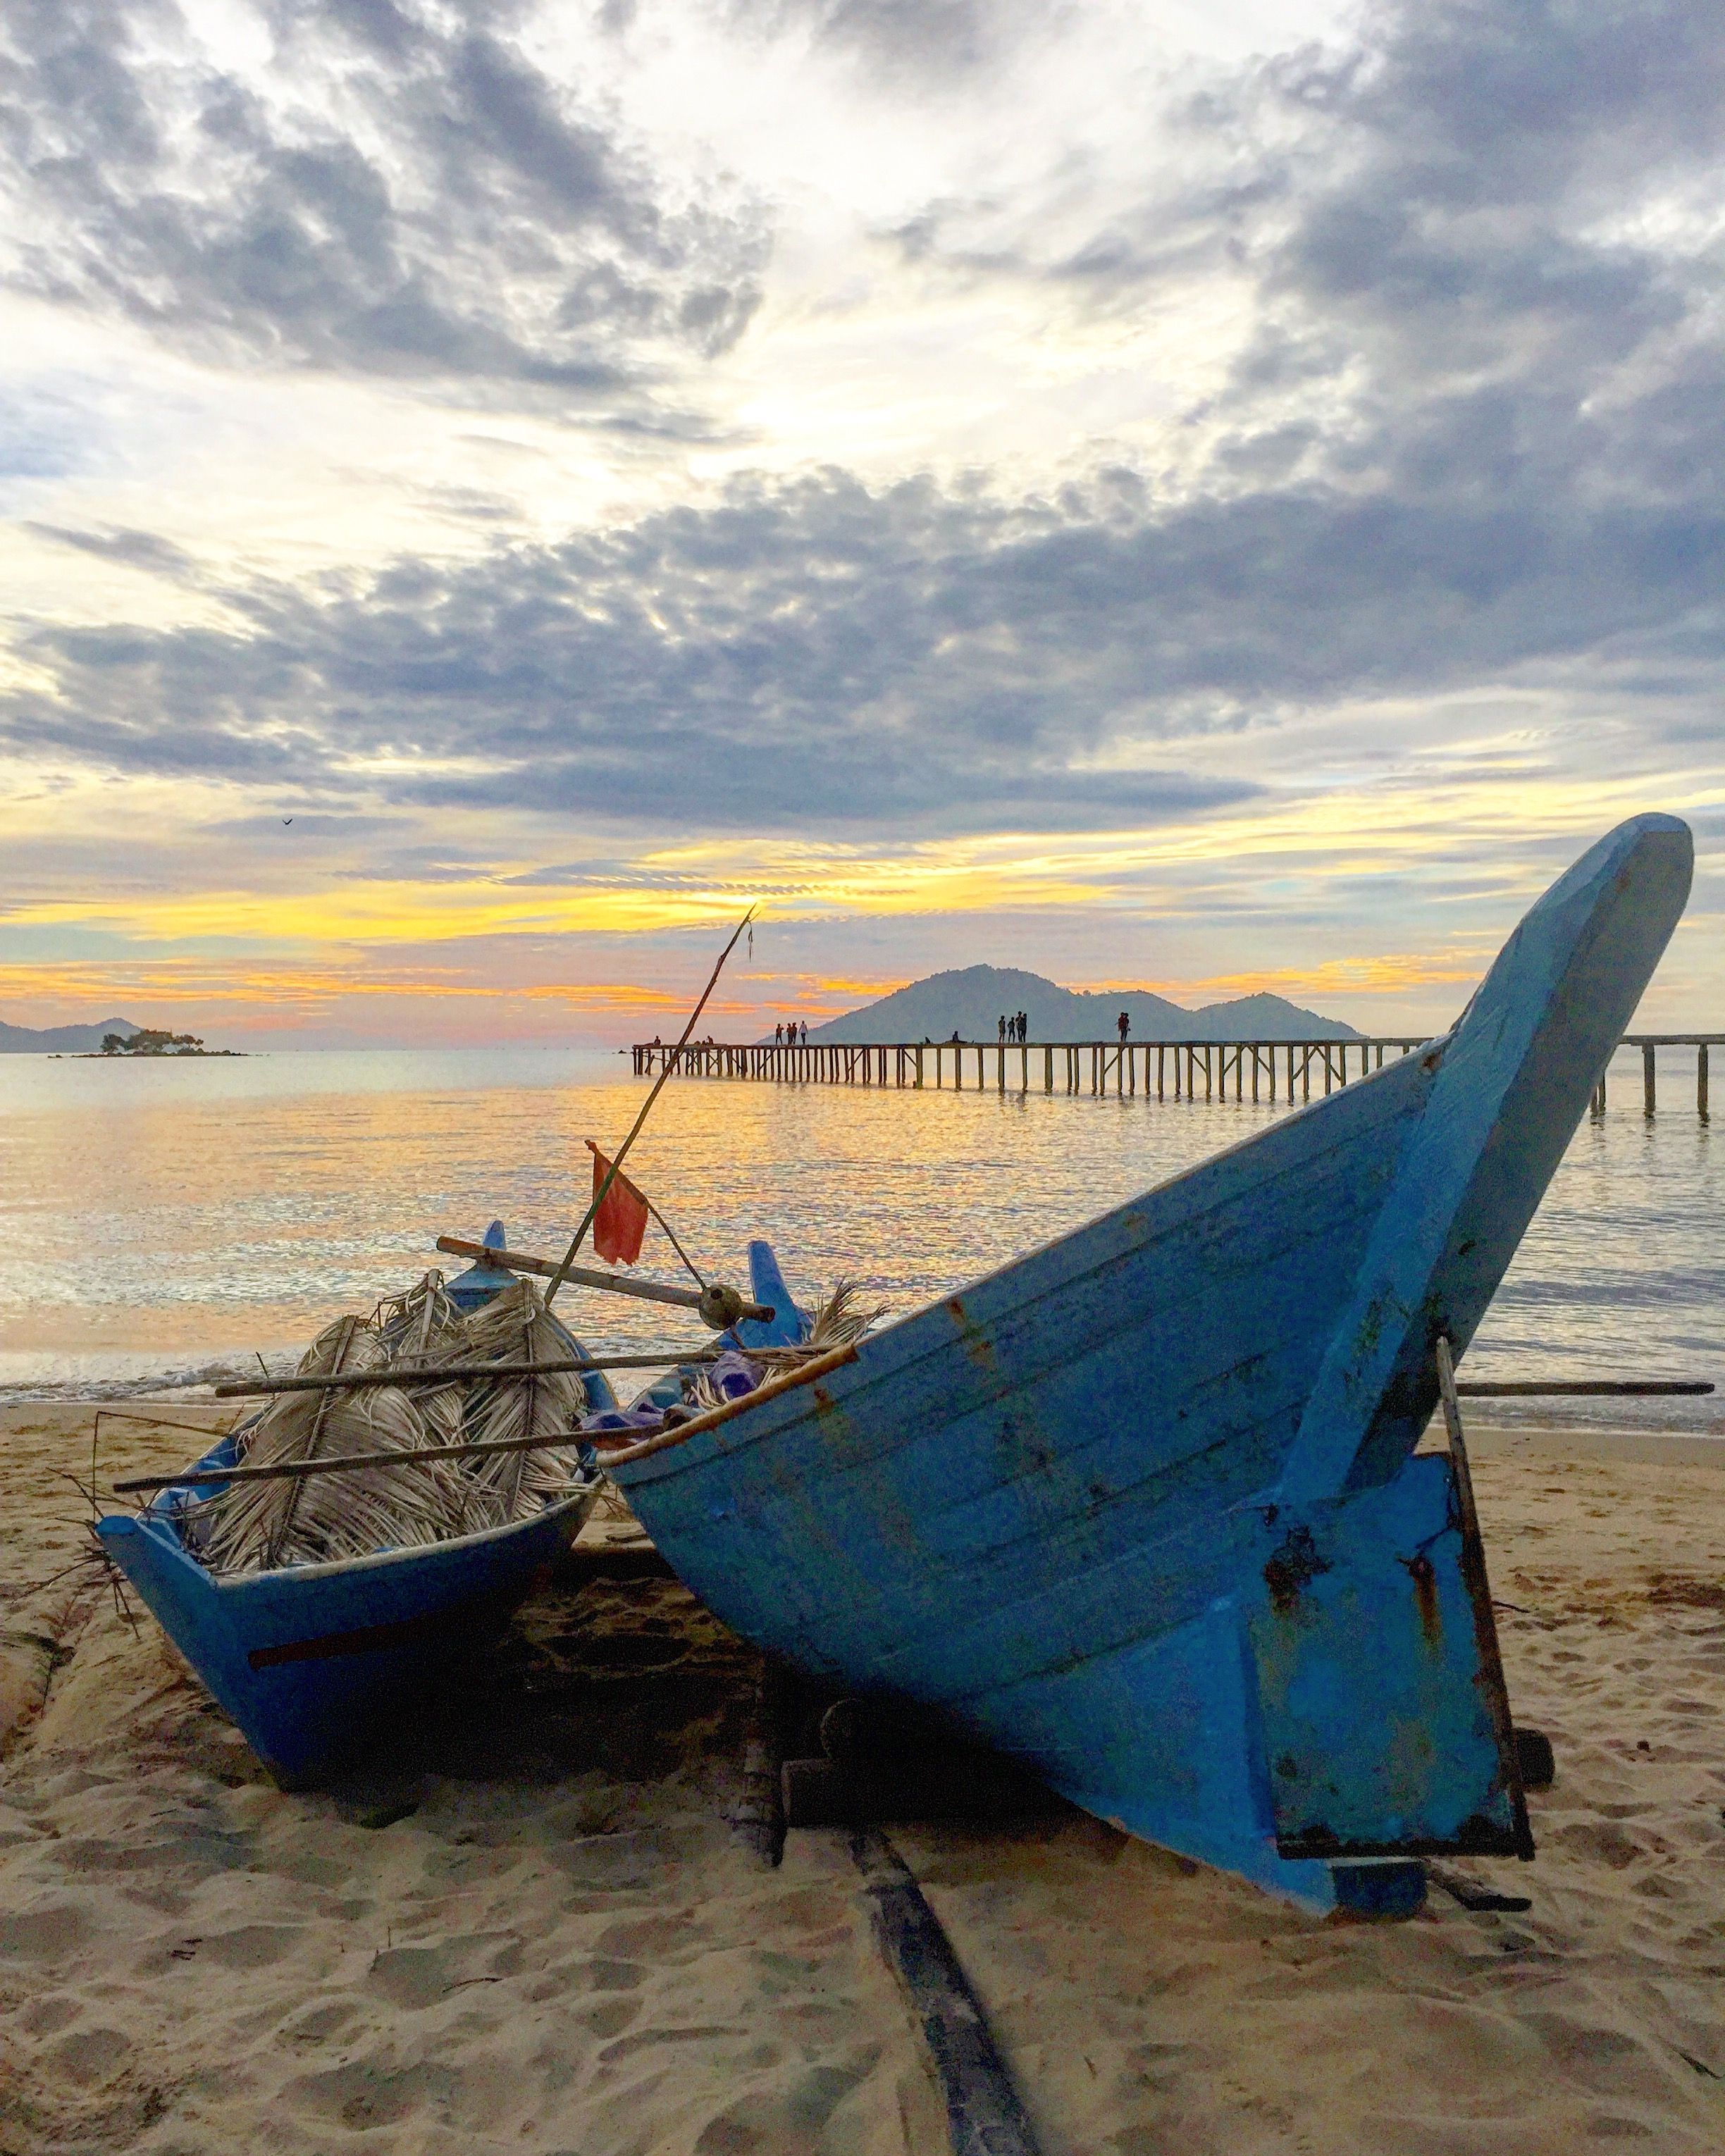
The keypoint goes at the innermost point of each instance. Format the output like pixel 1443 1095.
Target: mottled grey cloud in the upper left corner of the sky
pixel 400 193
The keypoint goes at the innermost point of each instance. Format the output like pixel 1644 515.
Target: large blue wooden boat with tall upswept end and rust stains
pixel 1144 1508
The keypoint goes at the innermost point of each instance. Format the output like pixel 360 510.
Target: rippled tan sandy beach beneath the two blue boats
pixel 542 1935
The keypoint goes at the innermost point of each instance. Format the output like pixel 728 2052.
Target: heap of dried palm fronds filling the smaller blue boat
pixel 316 1519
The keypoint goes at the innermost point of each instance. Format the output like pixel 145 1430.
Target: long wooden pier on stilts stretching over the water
pixel 1157 1070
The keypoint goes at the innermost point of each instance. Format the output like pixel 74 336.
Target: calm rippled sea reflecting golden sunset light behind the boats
pixel 165 1224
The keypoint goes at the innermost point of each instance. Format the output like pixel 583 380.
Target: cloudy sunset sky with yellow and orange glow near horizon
pixel 1202 497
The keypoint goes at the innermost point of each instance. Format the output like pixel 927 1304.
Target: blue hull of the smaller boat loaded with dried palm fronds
pixel 316 1663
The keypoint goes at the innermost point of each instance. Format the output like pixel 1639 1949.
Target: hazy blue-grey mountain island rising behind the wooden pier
pixel 974 1001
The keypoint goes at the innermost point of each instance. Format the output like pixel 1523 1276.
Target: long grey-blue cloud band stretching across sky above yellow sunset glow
pixel 900 661
